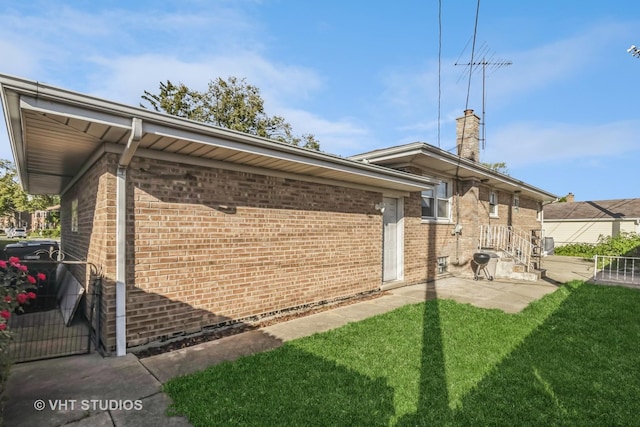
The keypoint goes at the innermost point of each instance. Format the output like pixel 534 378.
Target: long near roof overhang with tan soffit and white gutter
pixel 54 132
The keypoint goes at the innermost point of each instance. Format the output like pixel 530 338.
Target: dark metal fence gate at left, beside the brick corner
pixel 59 322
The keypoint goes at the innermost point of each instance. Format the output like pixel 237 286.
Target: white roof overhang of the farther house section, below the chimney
pixel 440 163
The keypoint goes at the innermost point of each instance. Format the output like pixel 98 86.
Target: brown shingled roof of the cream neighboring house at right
pixel 598 209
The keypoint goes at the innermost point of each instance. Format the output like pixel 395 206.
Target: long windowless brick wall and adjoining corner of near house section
pixel 207 245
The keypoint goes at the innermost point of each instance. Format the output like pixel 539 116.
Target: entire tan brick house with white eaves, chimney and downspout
pixel 192 226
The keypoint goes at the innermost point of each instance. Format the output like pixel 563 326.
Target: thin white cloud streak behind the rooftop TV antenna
pixel 412 95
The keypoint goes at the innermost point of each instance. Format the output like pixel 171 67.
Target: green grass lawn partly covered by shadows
pixel 571 358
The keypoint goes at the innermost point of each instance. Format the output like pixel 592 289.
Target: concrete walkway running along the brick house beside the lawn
pixel 89 390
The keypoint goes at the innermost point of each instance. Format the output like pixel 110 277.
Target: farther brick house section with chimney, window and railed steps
pixel 471 206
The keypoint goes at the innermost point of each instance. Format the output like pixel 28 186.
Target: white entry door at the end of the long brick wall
pixel 393 244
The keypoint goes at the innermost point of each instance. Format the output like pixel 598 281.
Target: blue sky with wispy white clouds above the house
pixel 363 74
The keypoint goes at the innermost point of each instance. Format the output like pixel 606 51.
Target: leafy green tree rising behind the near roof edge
pixel 232 103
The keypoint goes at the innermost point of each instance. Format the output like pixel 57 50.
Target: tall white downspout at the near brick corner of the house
pixel 121 235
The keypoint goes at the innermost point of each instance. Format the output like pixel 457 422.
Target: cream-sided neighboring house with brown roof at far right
pixel 584 222
